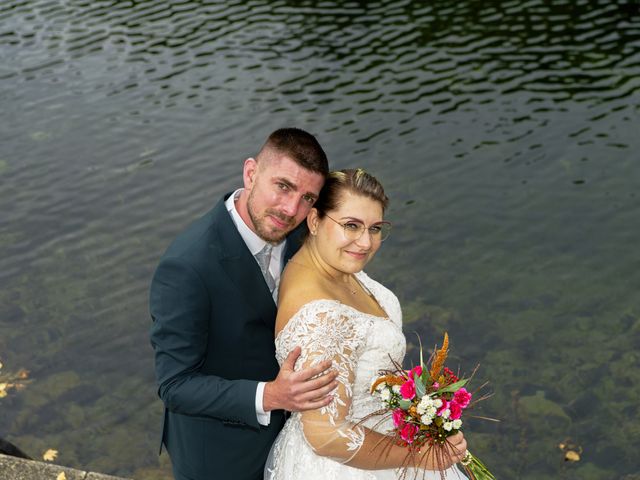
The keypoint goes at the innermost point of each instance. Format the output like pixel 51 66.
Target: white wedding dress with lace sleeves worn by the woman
pixel 318 444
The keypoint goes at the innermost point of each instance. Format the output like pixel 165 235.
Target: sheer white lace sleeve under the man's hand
pixel 331 333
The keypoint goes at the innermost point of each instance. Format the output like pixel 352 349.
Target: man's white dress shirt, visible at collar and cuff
pixel 256 244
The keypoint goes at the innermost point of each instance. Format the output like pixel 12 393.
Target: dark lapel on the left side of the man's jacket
pixel 241 266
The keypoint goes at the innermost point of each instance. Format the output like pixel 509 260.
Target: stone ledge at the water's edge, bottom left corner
pixel 13 468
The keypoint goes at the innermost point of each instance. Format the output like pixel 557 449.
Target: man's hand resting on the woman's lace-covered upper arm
pixel 306 389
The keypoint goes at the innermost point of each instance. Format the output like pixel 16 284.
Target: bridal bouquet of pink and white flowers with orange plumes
pixel 426 405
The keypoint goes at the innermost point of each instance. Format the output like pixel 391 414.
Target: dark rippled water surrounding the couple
pixel 503 131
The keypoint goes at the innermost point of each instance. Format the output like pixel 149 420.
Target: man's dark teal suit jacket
pixel 213 337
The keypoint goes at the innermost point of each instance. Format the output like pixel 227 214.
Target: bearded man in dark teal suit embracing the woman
pixel 213 310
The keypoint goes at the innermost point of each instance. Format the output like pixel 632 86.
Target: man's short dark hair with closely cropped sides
pixel 300 146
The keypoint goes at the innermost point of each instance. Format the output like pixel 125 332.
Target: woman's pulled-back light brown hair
pixel 354 180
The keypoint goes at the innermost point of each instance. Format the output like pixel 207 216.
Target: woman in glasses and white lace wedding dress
pixel 333 310
